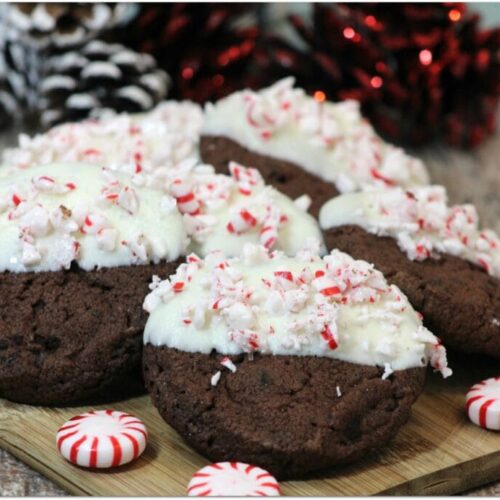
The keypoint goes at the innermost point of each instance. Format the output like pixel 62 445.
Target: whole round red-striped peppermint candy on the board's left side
pixel 102 439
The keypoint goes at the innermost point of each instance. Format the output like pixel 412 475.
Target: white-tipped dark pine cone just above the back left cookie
pixel 96 79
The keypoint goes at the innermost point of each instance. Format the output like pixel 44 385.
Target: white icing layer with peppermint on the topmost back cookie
pixel 330 140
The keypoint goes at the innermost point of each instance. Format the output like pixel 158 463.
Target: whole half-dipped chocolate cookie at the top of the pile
pixel 293 138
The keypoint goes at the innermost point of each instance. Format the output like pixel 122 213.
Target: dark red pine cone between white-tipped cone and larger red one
pixel 208 49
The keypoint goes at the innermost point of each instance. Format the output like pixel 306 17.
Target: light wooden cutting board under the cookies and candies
pixel 437 452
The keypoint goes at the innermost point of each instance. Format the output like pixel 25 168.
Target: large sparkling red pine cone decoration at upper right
pixel 422 72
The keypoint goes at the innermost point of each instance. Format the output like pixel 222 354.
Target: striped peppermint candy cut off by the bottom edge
pixel 233 479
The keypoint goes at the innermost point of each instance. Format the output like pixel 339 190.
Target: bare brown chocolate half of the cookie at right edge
pixel 460 302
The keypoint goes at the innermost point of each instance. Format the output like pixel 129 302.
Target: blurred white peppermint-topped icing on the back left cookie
pixel 160 138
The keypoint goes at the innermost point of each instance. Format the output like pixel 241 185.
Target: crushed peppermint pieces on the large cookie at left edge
pixel 54 217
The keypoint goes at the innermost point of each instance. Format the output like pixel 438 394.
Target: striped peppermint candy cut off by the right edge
pixel 483 404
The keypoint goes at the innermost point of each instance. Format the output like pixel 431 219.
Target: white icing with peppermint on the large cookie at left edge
pixel 53 215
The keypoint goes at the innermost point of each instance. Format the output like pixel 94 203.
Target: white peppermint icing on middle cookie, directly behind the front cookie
pixel 225 212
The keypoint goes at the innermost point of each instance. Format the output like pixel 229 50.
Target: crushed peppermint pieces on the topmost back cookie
pixel 338 130
